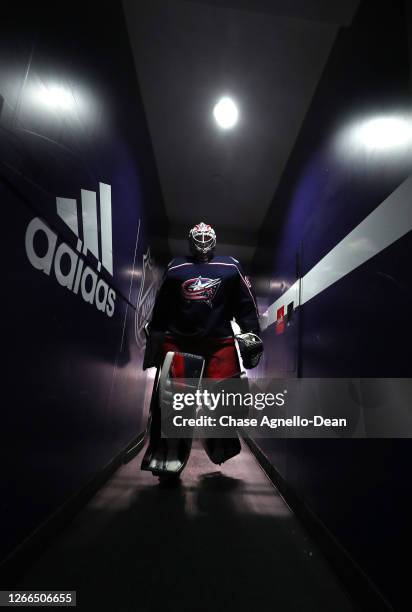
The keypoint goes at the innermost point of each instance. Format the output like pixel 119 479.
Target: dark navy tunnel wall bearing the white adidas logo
pixel 83 236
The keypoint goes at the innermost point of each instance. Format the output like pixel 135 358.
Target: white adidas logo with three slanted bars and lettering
pixel 66 264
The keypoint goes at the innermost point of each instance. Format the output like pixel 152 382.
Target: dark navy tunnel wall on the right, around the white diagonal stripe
pixel 360 325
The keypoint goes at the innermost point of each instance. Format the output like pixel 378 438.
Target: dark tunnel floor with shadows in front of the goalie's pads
pixel 218 541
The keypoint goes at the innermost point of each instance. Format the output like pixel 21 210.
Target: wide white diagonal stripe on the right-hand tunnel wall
pixel 391 220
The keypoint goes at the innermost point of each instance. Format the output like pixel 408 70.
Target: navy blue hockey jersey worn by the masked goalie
pixel 200 299
